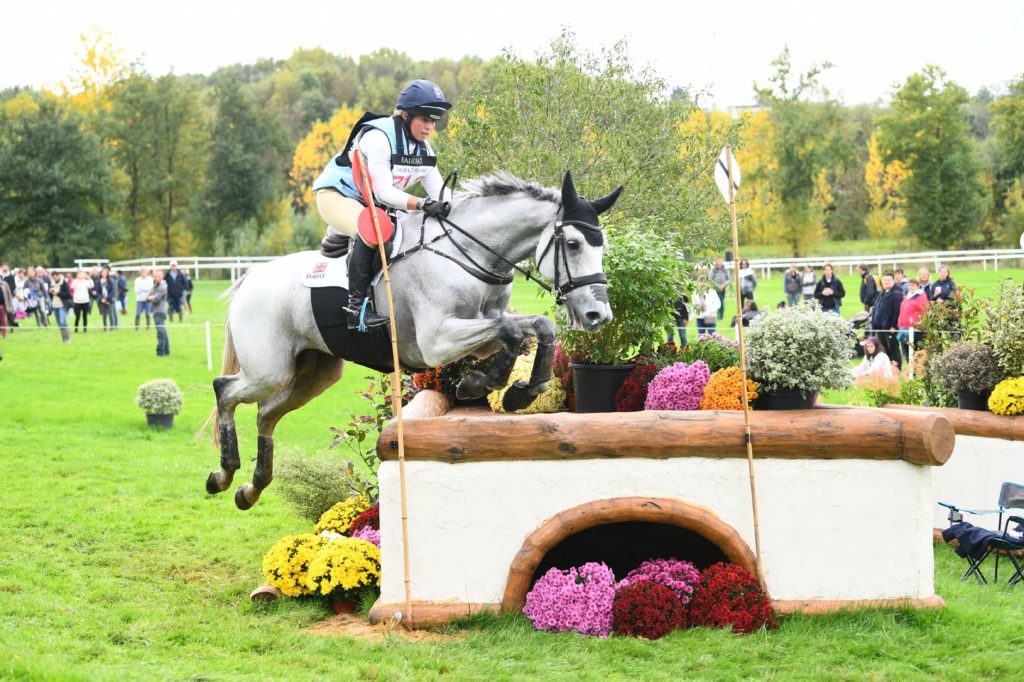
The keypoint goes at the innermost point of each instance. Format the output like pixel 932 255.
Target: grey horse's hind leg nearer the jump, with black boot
pixel 316 372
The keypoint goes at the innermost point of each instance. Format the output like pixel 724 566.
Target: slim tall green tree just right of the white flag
pixel 806 142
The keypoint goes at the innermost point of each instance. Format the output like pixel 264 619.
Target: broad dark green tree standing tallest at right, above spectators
pixel 927 130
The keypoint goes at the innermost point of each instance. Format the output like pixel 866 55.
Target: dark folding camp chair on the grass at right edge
pixel 985 543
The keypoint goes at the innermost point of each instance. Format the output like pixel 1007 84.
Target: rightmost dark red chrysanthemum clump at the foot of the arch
pixel 729 595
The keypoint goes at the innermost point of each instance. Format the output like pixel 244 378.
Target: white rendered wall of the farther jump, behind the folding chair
pixel 973 476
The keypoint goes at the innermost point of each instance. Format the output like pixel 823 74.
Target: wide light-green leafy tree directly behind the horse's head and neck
pixel 608 123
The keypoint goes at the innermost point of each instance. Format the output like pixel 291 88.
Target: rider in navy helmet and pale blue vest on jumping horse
pixel 398 156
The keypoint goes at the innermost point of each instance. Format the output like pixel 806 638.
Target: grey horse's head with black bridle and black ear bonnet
pixel 570 255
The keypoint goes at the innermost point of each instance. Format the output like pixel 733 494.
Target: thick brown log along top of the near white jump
pixel 480 436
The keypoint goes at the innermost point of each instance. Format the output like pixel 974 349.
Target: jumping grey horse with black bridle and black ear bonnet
pixel 451 301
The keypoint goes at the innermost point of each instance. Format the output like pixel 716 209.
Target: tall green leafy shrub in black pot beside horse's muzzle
pixel 646 277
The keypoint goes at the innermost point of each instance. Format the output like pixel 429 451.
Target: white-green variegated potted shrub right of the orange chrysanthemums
pixel 797 353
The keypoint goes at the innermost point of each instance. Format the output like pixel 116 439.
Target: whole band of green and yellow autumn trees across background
pixel 116 162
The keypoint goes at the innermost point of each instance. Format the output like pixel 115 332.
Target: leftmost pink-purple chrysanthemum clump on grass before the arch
pixel 578 600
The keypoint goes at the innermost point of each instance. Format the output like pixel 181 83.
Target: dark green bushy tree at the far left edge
pixel 56 188
